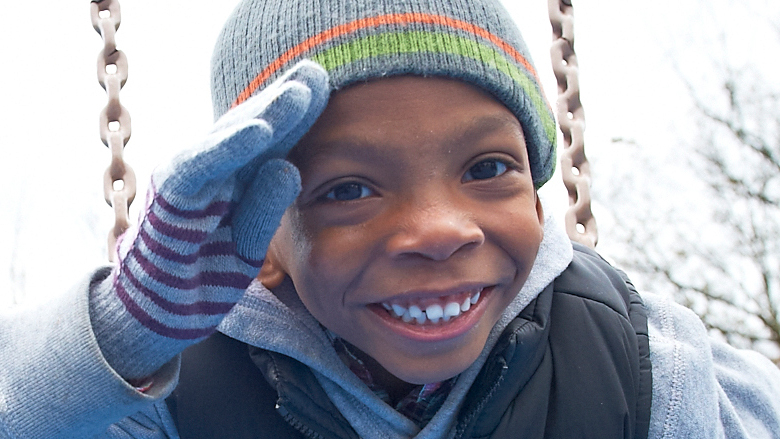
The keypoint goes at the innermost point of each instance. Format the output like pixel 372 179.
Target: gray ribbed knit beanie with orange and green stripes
pixel 475 41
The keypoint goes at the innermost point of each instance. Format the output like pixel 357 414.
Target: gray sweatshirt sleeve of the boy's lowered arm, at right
pixel 703 387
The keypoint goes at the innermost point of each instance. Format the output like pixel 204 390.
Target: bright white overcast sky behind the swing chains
pixel 52 216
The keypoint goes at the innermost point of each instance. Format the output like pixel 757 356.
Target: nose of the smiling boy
pixel 436 230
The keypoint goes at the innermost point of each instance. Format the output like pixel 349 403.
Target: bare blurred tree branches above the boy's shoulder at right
pixel 729 280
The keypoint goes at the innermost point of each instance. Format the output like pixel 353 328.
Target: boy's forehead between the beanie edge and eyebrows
pixel 406 111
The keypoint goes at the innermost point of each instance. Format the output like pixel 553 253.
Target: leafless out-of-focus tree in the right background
pixel 716 251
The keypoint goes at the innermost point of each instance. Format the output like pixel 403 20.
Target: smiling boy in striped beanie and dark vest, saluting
pixel 408 282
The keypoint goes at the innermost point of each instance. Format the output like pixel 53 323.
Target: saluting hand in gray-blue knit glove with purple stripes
pixel 209 218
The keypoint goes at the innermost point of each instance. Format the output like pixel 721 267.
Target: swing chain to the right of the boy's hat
pixel 575 169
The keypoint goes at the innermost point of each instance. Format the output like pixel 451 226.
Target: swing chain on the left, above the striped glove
pixel 119 179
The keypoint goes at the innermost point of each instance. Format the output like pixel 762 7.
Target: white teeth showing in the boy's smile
pixel 442 309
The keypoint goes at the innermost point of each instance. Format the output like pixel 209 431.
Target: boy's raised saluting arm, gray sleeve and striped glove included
pixel 109 349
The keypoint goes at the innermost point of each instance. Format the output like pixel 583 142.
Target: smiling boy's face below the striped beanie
pixel 417 195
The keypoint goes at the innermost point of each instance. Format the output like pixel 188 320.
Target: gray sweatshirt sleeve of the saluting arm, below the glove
pixel 54 381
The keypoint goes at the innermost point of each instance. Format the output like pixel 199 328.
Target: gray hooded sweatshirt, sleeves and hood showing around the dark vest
pixel 55 383
